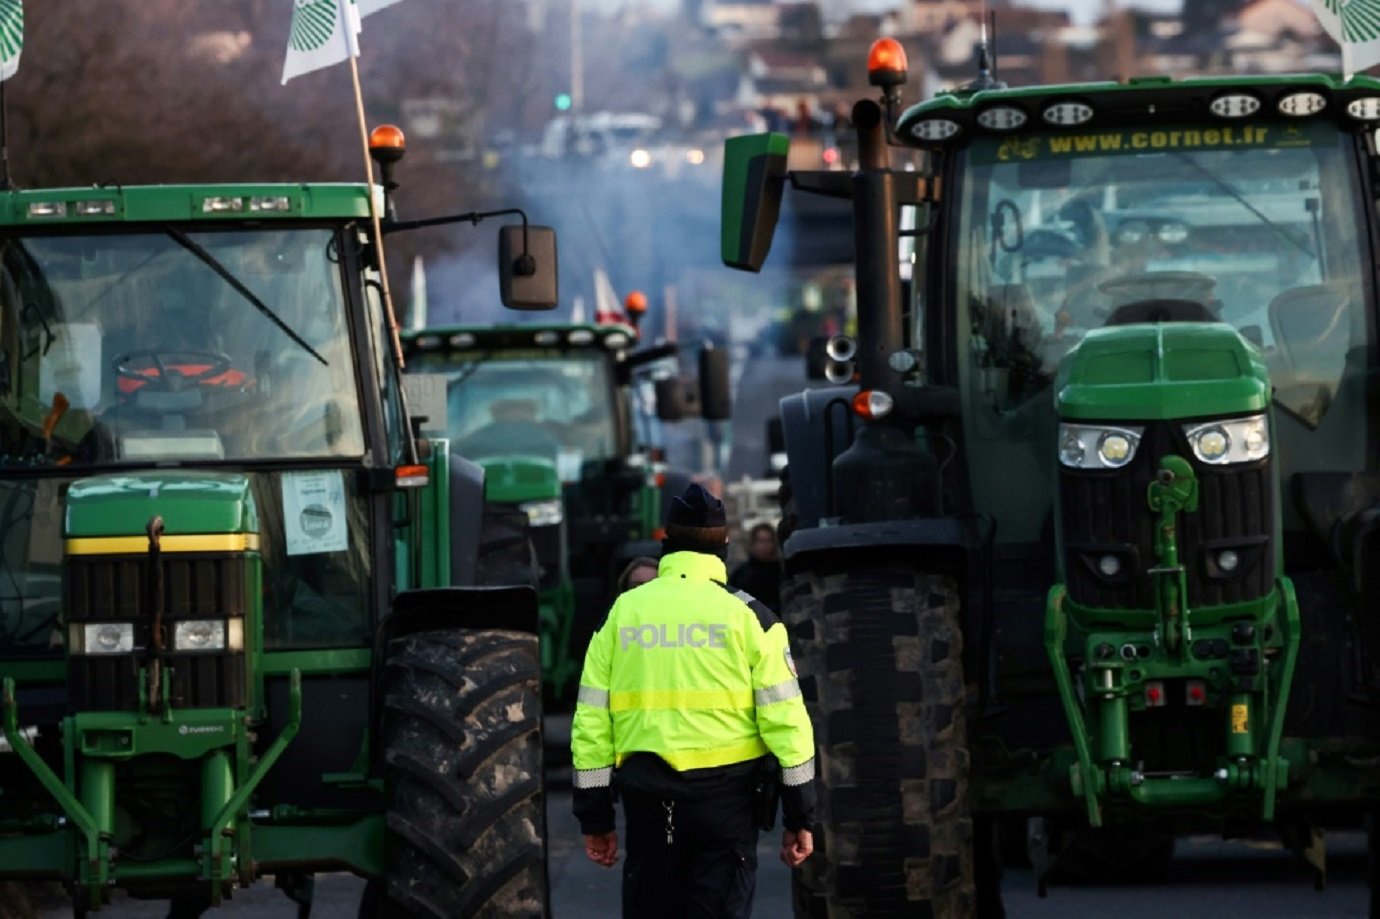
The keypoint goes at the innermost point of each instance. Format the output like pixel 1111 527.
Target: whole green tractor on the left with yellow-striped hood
pixel 234 638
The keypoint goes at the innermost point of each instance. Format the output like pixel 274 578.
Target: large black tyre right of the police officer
pixel 881 660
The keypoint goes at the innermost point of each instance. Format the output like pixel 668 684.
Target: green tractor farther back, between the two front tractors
pixel 561 417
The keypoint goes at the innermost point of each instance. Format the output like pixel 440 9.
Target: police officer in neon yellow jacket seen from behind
pixel 689 693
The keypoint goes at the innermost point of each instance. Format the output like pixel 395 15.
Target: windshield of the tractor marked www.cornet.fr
pixel 1254 226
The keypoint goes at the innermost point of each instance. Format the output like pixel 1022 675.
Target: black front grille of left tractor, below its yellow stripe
pixel 195 587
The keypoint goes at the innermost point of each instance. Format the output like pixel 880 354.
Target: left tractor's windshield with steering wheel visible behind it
pixel 175 347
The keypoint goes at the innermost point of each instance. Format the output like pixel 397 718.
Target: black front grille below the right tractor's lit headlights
pixel 1106 513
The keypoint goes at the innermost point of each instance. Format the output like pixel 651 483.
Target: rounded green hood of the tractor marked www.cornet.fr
pixel 1161 372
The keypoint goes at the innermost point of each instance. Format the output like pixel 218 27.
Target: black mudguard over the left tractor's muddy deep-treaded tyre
pixel 492 608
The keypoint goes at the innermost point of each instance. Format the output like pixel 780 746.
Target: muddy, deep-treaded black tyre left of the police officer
pixel 463 764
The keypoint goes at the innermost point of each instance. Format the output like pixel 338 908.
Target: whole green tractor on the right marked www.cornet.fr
pixel 1090 544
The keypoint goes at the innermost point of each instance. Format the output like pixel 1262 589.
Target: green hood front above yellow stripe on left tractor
pixel 190 503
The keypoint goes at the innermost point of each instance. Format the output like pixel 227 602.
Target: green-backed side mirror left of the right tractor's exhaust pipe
pixel 754 180
